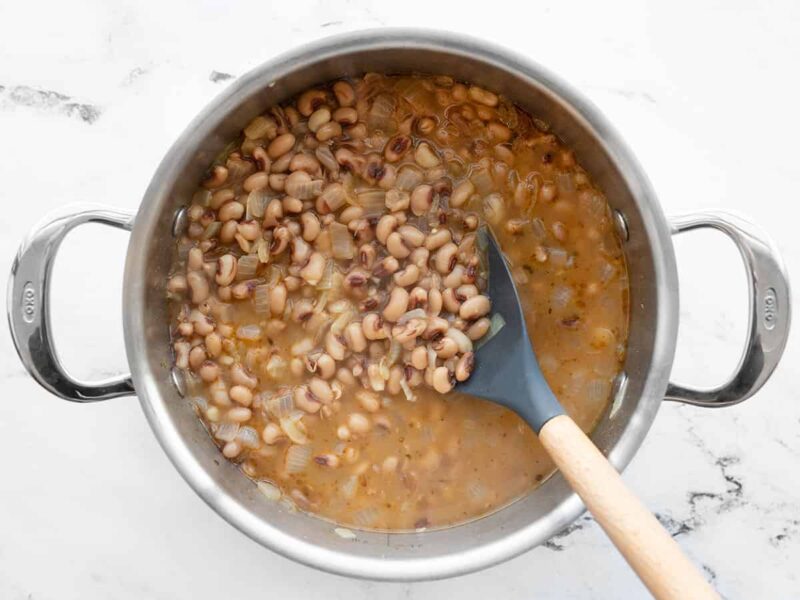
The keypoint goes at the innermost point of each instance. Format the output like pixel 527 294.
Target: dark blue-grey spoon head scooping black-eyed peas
pixel 506 370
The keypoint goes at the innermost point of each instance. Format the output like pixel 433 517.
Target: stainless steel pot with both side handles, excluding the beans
pixel 408 556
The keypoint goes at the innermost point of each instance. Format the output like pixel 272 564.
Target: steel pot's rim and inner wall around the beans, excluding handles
pixel 467 547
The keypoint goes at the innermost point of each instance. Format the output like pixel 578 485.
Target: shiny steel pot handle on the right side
pixel 769 312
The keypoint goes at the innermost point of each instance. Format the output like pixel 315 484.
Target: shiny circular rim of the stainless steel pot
pixel 460 561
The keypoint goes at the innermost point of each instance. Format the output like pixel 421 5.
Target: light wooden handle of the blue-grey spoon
pixel 649 549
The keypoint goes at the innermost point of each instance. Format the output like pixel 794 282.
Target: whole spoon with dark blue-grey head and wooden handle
pixel 507 372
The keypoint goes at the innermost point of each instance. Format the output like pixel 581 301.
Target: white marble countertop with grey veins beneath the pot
pixel 92 92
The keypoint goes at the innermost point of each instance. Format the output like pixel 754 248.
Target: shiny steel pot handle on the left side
pixel 28 304
